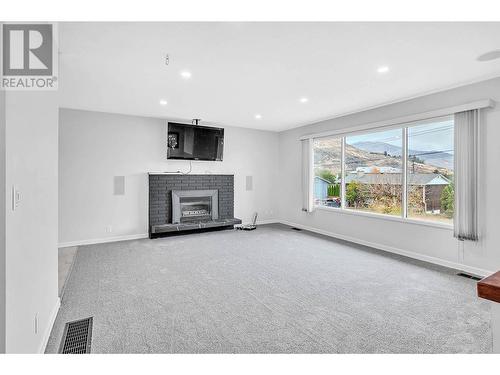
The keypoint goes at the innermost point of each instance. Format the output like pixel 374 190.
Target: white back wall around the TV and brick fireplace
pixel 95 146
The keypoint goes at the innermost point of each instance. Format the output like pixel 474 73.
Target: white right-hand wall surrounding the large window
pixel 425 242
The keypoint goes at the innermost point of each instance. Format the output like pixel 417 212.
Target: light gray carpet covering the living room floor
pixel 273 290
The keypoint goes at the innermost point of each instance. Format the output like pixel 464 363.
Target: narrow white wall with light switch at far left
pixel 31 230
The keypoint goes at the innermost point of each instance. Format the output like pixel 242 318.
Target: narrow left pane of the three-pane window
pixel 327 171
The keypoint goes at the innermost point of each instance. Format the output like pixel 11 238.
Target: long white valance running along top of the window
pixel 484 103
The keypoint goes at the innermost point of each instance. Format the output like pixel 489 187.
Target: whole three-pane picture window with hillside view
pixel 365 171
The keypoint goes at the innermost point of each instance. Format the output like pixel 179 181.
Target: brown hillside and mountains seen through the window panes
pixel 327 156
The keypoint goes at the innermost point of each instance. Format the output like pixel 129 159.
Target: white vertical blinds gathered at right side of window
pixel 466 175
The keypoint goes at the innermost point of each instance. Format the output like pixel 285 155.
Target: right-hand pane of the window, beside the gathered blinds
pixel 430 171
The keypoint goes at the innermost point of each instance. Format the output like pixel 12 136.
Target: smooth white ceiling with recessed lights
pixel 243 69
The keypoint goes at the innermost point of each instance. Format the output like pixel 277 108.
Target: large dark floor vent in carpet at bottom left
pixel 76 337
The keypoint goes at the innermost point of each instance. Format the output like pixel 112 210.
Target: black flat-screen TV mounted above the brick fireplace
pixel 194 142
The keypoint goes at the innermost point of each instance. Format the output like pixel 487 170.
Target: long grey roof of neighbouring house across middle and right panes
pixel 419 179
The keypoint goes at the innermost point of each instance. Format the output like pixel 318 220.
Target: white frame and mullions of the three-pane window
pixel 343 209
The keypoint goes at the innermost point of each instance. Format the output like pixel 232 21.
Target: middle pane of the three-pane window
pixel 373 172
